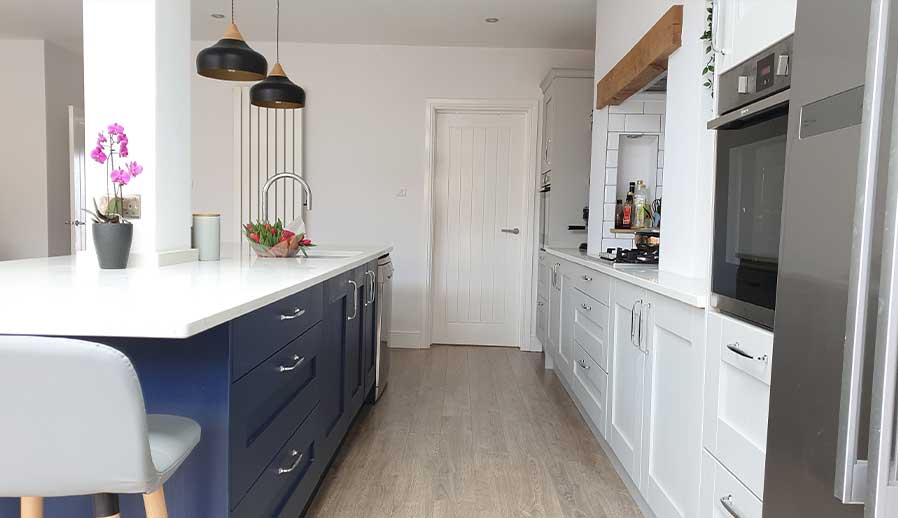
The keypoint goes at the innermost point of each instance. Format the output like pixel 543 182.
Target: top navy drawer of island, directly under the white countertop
pixel 260 333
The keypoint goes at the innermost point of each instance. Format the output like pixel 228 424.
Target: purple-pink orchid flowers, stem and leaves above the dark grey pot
pixel 111 144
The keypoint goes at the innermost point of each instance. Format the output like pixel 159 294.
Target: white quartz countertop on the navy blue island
pixel 71 296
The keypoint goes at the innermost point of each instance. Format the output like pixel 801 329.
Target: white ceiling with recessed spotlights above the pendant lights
pixel 563 24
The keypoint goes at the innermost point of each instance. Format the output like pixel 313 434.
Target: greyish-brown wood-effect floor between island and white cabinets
pixel 470 432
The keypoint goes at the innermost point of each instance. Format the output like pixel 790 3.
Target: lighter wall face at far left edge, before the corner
pixel 23 177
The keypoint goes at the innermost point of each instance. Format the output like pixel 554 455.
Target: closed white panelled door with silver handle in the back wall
pixel 479 184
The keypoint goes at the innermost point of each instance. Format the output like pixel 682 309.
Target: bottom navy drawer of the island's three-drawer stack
pixel 289 480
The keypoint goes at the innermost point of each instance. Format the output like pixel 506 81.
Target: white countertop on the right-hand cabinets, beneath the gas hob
pixel 684 289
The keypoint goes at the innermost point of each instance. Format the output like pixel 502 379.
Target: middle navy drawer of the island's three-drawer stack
pixel 268 403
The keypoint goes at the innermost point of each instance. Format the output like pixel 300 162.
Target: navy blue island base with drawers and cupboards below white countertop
pixel 275 391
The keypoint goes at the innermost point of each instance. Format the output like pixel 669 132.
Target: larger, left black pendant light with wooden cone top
pixel 231 59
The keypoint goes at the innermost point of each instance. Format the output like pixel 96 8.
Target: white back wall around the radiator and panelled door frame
pixel 364 140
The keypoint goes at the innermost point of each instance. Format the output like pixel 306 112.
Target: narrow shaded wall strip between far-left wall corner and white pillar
pixel 64 73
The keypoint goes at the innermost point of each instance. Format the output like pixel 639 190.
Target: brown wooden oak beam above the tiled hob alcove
pixel 645 61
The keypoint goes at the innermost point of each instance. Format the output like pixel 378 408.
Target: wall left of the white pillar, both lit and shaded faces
pixel 34 144
